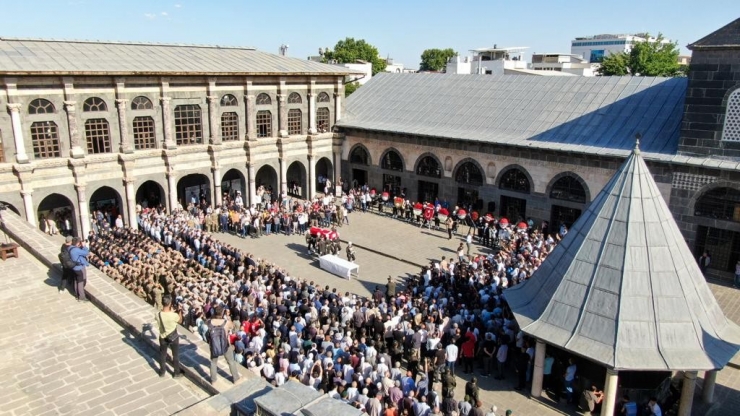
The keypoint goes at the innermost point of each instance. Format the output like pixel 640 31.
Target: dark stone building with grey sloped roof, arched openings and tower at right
pixel 541 148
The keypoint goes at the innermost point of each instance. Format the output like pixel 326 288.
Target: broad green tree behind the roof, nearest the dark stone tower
pixel 647 59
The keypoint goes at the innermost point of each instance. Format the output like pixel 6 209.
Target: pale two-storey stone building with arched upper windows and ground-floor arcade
pixel 108 125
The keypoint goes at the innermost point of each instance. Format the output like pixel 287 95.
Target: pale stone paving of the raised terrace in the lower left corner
pixel 61 357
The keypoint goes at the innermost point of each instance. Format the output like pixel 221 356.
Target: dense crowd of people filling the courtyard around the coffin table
pixel 396 352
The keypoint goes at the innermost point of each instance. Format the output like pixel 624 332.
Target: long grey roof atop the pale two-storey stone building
pixel 34 56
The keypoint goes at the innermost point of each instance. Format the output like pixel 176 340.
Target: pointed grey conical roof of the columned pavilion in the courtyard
pixel 623 289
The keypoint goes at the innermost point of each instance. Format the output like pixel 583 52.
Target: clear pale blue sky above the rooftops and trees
pixel 399 29
